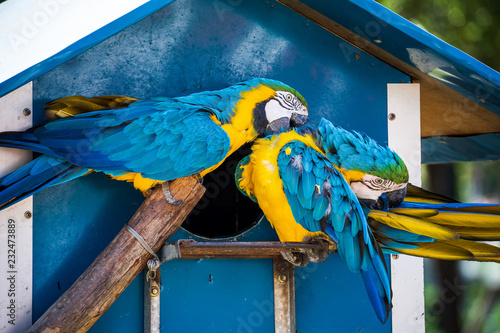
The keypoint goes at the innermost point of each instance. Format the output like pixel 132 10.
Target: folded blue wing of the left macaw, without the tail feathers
pixel 159 144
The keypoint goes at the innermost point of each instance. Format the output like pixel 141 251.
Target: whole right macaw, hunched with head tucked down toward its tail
pixel 344 186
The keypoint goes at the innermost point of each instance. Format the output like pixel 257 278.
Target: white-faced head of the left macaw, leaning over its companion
pixel 272 105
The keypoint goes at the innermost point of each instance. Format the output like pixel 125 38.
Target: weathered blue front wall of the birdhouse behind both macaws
pixel 190 46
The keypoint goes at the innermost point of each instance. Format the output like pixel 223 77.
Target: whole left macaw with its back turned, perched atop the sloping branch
pixel 148 141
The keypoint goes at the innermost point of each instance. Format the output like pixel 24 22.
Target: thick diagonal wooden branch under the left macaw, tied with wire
pixel 115 268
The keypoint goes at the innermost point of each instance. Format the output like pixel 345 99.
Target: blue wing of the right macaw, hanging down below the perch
pixel 317 192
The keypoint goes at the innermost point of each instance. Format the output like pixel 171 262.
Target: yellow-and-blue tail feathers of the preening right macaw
pixel 432 226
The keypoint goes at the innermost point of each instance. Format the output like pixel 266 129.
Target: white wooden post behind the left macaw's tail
pixel 16 236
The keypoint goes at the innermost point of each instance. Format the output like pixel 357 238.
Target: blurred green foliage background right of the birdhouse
pixel 471 26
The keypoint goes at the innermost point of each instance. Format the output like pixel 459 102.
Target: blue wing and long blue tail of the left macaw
pixel 160 138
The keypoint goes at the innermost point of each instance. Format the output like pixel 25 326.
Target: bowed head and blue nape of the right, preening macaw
pixel 378 176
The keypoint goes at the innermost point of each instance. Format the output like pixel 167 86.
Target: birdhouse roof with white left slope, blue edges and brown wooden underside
pixel 460 96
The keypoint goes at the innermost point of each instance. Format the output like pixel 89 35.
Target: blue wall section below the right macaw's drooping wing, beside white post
pixel 343 309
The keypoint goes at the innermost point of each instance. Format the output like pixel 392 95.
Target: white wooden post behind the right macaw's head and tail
pixel 407 273
